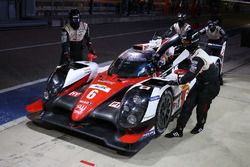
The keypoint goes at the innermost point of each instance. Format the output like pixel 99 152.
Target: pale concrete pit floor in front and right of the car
pixel 224 142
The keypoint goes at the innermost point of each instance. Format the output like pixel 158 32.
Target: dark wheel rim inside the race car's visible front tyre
pixel 164 113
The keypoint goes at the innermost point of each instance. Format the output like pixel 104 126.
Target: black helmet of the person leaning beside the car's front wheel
pixel 190 40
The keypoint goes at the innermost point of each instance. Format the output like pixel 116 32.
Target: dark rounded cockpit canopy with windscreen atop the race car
pixel 132 63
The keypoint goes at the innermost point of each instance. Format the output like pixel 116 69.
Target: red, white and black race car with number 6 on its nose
pixel 125 105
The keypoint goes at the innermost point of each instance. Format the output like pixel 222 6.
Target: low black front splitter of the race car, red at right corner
pixel 113 138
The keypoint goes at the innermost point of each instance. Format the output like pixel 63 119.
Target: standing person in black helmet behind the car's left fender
pixel 73 35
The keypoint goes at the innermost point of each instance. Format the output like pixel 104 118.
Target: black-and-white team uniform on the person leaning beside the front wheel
pixel 206 88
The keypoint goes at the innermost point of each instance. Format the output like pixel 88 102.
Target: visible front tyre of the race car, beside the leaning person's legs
pixel 163 113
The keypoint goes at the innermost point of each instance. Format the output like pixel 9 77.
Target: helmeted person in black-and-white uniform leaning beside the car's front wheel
pixel 206 88
